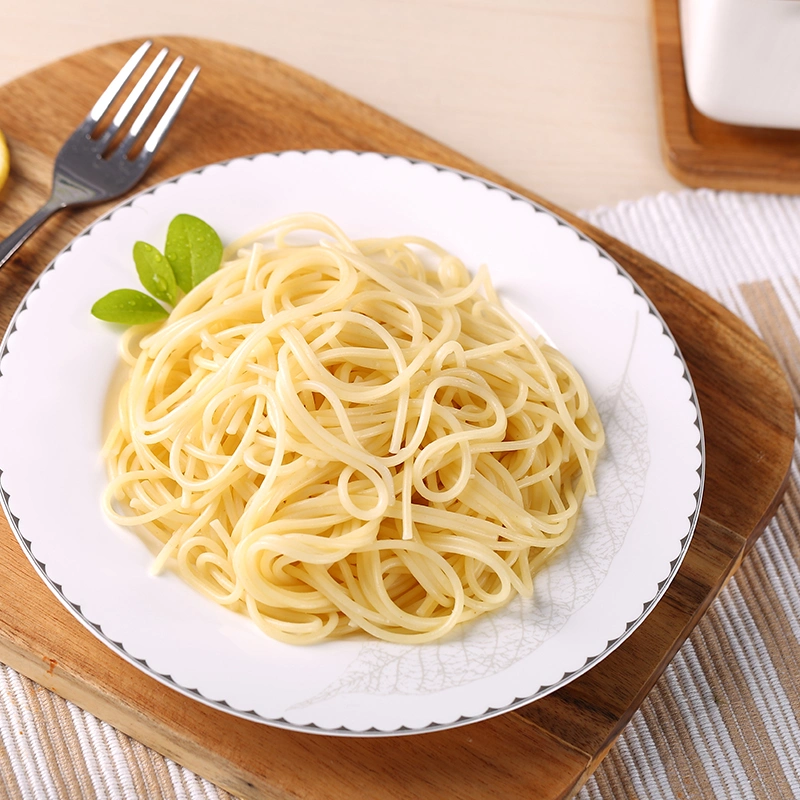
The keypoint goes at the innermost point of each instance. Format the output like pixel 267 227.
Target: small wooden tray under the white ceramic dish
pixel 700 151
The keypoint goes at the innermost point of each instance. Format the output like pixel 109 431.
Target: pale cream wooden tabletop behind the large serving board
pixel 558 95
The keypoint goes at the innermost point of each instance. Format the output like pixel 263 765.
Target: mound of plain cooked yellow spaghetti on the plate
pixel 337 436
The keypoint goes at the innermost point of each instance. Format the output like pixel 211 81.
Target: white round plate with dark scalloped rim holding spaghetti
pixel 57 362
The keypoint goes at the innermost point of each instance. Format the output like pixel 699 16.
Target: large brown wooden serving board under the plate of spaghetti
pixel 245 103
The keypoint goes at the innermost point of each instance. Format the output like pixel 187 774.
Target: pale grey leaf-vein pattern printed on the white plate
pixel 495 642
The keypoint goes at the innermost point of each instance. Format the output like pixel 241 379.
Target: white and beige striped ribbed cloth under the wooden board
pixel 721 722
